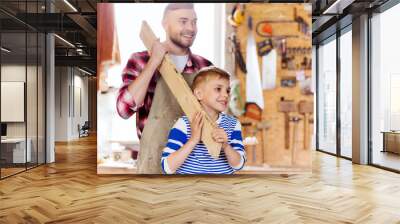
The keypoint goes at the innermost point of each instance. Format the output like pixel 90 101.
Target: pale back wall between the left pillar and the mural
pixel 67 114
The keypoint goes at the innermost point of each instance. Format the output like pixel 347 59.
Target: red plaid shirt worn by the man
pixel 126 105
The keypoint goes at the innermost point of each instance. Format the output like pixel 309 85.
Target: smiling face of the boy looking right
pixel 214 94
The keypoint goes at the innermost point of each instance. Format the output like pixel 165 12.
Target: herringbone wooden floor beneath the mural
pixel 70 191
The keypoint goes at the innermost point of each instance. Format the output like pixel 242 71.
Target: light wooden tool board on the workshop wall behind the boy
pixel 284 21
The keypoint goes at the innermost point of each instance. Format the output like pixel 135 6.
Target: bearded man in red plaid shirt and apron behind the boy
pixel 142 86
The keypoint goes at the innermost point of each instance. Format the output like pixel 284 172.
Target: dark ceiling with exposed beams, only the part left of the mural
pixel 76 24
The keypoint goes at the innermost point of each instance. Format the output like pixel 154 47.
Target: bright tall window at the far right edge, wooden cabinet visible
pixel 385 89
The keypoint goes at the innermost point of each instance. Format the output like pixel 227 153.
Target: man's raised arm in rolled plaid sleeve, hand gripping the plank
pixel 134 90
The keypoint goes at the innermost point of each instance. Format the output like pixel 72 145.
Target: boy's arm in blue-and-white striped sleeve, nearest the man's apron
pixel 178 147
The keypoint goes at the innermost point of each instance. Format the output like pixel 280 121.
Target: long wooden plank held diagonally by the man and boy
pixel 182 92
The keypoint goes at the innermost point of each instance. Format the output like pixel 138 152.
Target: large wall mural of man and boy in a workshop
pixel 190 114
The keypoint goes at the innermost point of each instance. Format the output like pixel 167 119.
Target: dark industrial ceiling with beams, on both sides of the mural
pixel 76 20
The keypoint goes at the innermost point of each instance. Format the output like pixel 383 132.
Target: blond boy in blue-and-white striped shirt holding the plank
pixel 185 153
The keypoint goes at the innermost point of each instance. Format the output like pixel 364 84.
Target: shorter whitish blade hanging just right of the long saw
pixel 269 70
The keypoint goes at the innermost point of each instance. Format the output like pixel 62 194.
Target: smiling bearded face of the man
pixel 180 26
